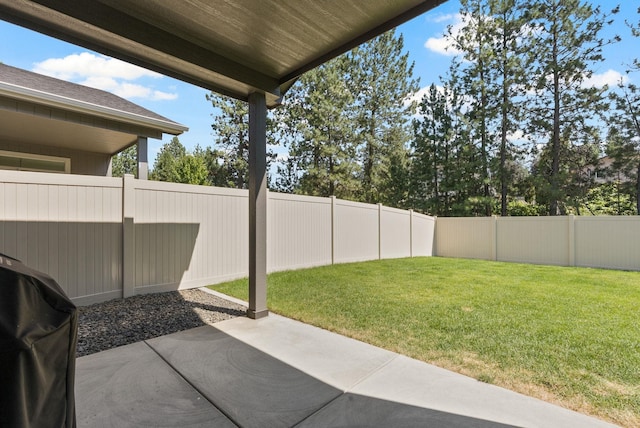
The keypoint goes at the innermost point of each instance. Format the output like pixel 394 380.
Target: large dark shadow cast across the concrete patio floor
pixel 204 377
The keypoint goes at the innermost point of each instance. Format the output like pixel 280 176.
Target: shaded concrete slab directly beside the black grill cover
pixel 132 386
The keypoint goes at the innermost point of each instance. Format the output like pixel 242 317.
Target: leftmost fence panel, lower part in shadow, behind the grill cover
pixel 69 227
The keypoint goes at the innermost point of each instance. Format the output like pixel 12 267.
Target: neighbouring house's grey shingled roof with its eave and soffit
pixel 43 110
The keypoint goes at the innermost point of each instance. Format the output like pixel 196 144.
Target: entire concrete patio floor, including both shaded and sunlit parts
pixel 276 372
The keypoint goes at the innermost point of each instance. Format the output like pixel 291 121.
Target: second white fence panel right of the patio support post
pixel 356 232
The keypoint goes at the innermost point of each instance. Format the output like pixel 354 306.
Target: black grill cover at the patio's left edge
pixel 38 336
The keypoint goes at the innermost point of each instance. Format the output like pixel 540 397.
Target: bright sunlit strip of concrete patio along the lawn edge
pixel 366 370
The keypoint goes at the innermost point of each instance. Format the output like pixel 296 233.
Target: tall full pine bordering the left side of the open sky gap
pixel 382 80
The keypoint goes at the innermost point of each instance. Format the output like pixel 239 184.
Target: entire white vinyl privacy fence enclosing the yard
pixel 104 238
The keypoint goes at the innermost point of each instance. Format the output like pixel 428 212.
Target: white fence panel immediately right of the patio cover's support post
pixel 299 232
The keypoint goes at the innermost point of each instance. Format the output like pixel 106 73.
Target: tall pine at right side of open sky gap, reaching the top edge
pixel 490 78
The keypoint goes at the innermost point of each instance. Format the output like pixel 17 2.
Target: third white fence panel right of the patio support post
pixel 395 233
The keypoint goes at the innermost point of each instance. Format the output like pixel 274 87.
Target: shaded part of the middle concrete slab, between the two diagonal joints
pixel 251 387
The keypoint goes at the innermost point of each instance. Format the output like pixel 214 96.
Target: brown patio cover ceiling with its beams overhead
pixel 234 47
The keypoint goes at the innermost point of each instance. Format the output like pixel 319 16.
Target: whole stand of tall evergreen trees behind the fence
pixel 514 128
